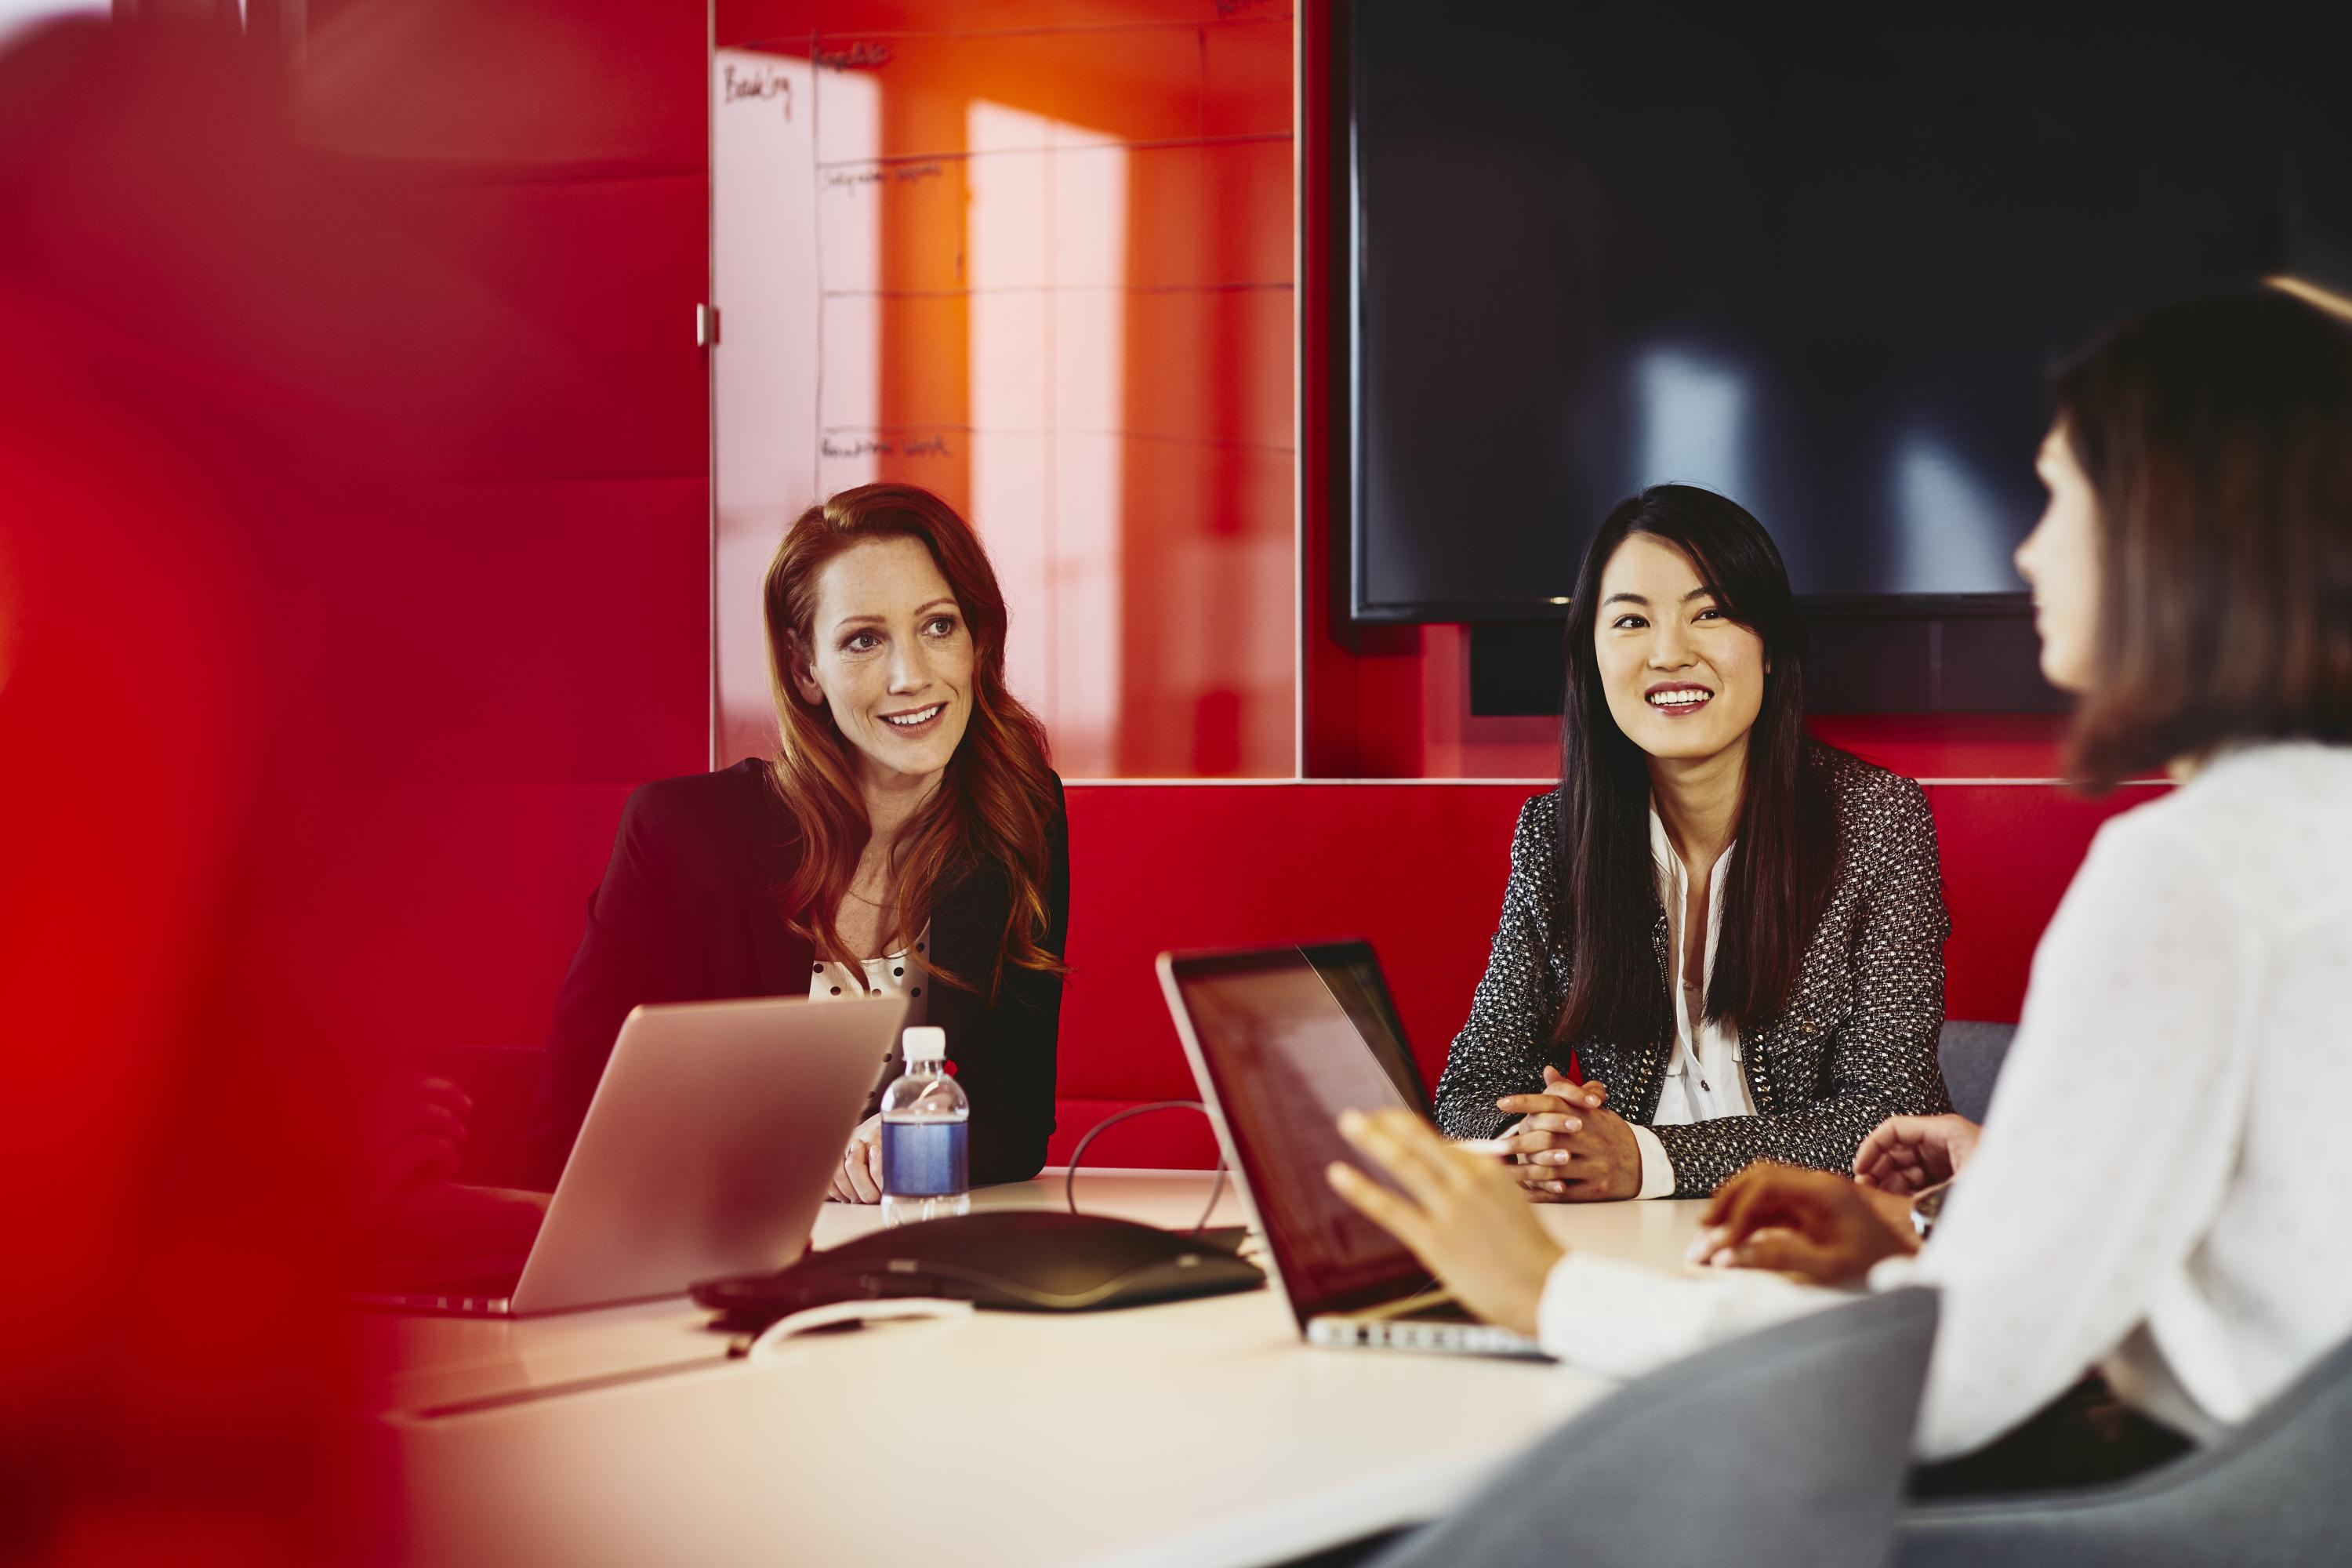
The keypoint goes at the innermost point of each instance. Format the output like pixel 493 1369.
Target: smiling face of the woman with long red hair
pixel 890 659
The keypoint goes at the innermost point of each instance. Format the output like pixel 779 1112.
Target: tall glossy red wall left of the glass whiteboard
pixel 542 168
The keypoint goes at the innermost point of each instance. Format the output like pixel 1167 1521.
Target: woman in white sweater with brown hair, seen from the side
pixel 2160 1179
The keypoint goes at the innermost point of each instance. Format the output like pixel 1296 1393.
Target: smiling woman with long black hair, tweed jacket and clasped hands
pixel 1735 930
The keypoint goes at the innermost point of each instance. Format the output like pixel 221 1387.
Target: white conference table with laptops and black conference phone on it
pixel 1191 1433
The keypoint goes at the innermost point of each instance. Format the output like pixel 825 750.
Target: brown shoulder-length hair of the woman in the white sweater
pixel 2217 436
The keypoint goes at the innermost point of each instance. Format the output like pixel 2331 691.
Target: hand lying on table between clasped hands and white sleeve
pixel 1808 1224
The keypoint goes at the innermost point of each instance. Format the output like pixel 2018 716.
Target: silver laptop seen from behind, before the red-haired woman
pixel 709 1148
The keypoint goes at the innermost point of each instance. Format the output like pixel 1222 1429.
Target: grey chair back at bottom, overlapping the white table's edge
pixel 1784 1449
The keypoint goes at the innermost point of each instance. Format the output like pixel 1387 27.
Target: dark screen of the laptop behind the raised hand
pixel 1283 1061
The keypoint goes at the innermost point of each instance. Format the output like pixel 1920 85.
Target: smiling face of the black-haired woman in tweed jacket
pixel 1683 678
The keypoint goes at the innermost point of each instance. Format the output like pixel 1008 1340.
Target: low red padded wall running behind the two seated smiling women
pixel 1415 869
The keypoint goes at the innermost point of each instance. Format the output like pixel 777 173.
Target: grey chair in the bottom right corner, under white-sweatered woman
pixel 2266 1496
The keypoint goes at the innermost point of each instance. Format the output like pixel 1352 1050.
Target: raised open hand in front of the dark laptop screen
pixel 1462 1214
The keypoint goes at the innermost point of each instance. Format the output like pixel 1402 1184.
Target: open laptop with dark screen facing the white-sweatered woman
pixel 1283 1040
